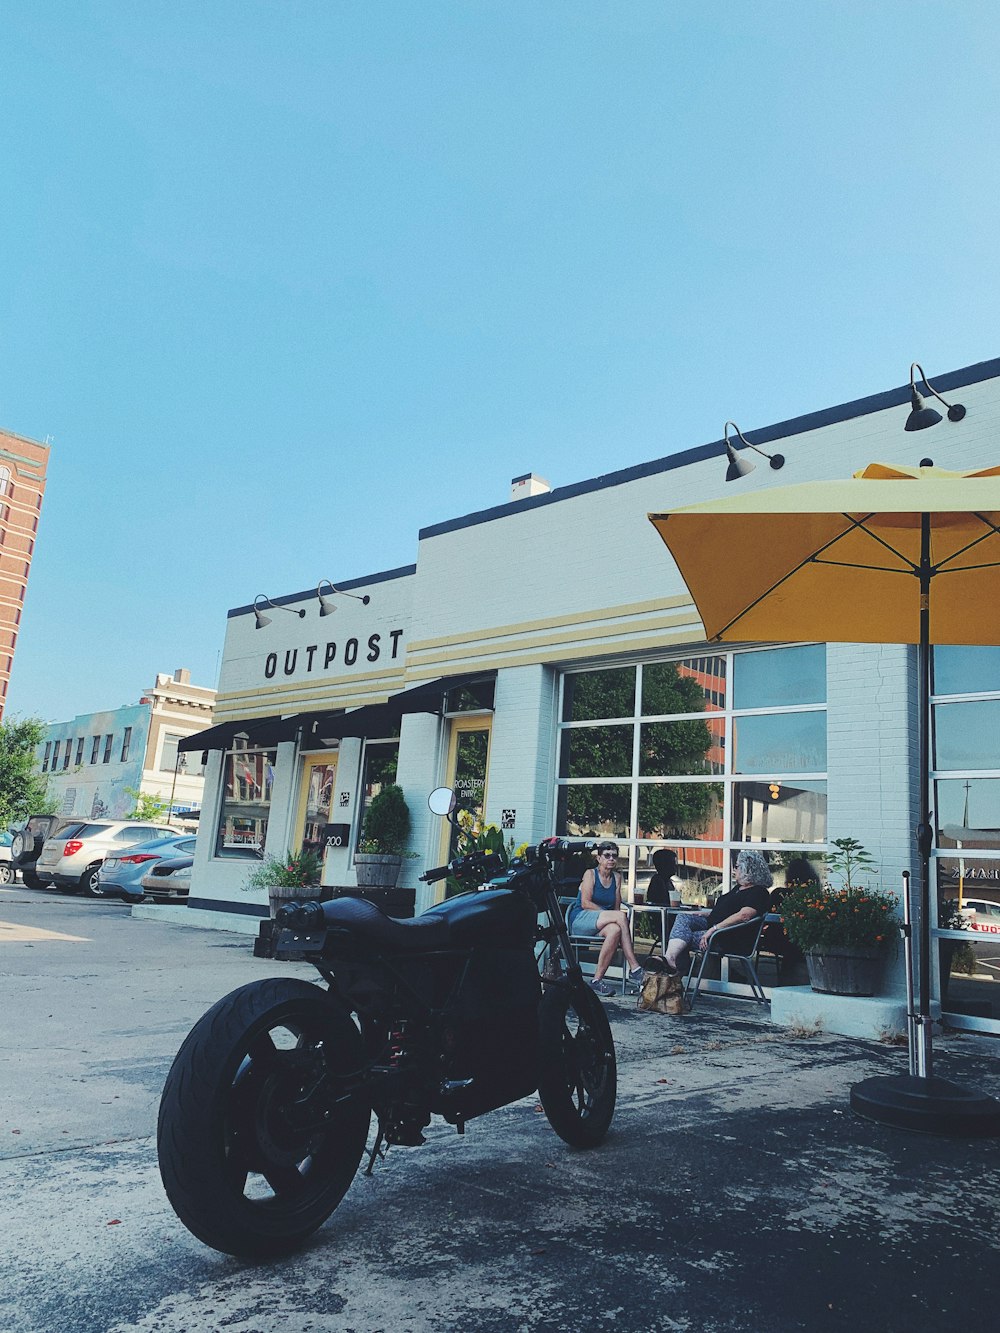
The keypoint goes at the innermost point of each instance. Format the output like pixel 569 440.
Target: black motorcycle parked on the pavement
pixel 267 1108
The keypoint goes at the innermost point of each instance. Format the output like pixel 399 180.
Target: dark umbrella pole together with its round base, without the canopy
pixel 918 1100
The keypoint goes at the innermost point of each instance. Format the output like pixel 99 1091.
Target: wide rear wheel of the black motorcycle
pixel 257 1148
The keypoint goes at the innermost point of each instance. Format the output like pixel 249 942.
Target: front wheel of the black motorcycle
pixel 578 1074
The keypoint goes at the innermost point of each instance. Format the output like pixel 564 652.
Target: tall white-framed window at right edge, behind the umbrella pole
pixel 966 775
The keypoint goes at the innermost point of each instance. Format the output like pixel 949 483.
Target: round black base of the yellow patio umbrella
pixel 927 1106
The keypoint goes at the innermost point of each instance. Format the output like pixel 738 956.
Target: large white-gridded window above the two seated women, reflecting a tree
pixel 703 755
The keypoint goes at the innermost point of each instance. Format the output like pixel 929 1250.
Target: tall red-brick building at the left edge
pixel 22 487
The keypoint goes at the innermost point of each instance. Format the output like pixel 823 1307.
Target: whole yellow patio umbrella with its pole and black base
pixel 891 555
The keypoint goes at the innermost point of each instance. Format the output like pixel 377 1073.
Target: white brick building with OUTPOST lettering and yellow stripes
pixel 566 615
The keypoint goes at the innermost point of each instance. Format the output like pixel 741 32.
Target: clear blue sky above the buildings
pixel 286 282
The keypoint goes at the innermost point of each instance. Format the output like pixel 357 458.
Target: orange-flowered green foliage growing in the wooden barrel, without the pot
pixel 818 918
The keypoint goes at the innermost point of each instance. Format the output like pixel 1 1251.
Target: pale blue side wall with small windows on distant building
pixel 101 762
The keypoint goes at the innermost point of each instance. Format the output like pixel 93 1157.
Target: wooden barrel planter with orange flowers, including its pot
pixel 845 932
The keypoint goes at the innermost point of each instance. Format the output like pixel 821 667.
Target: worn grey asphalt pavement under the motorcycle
pixel 735 1192
